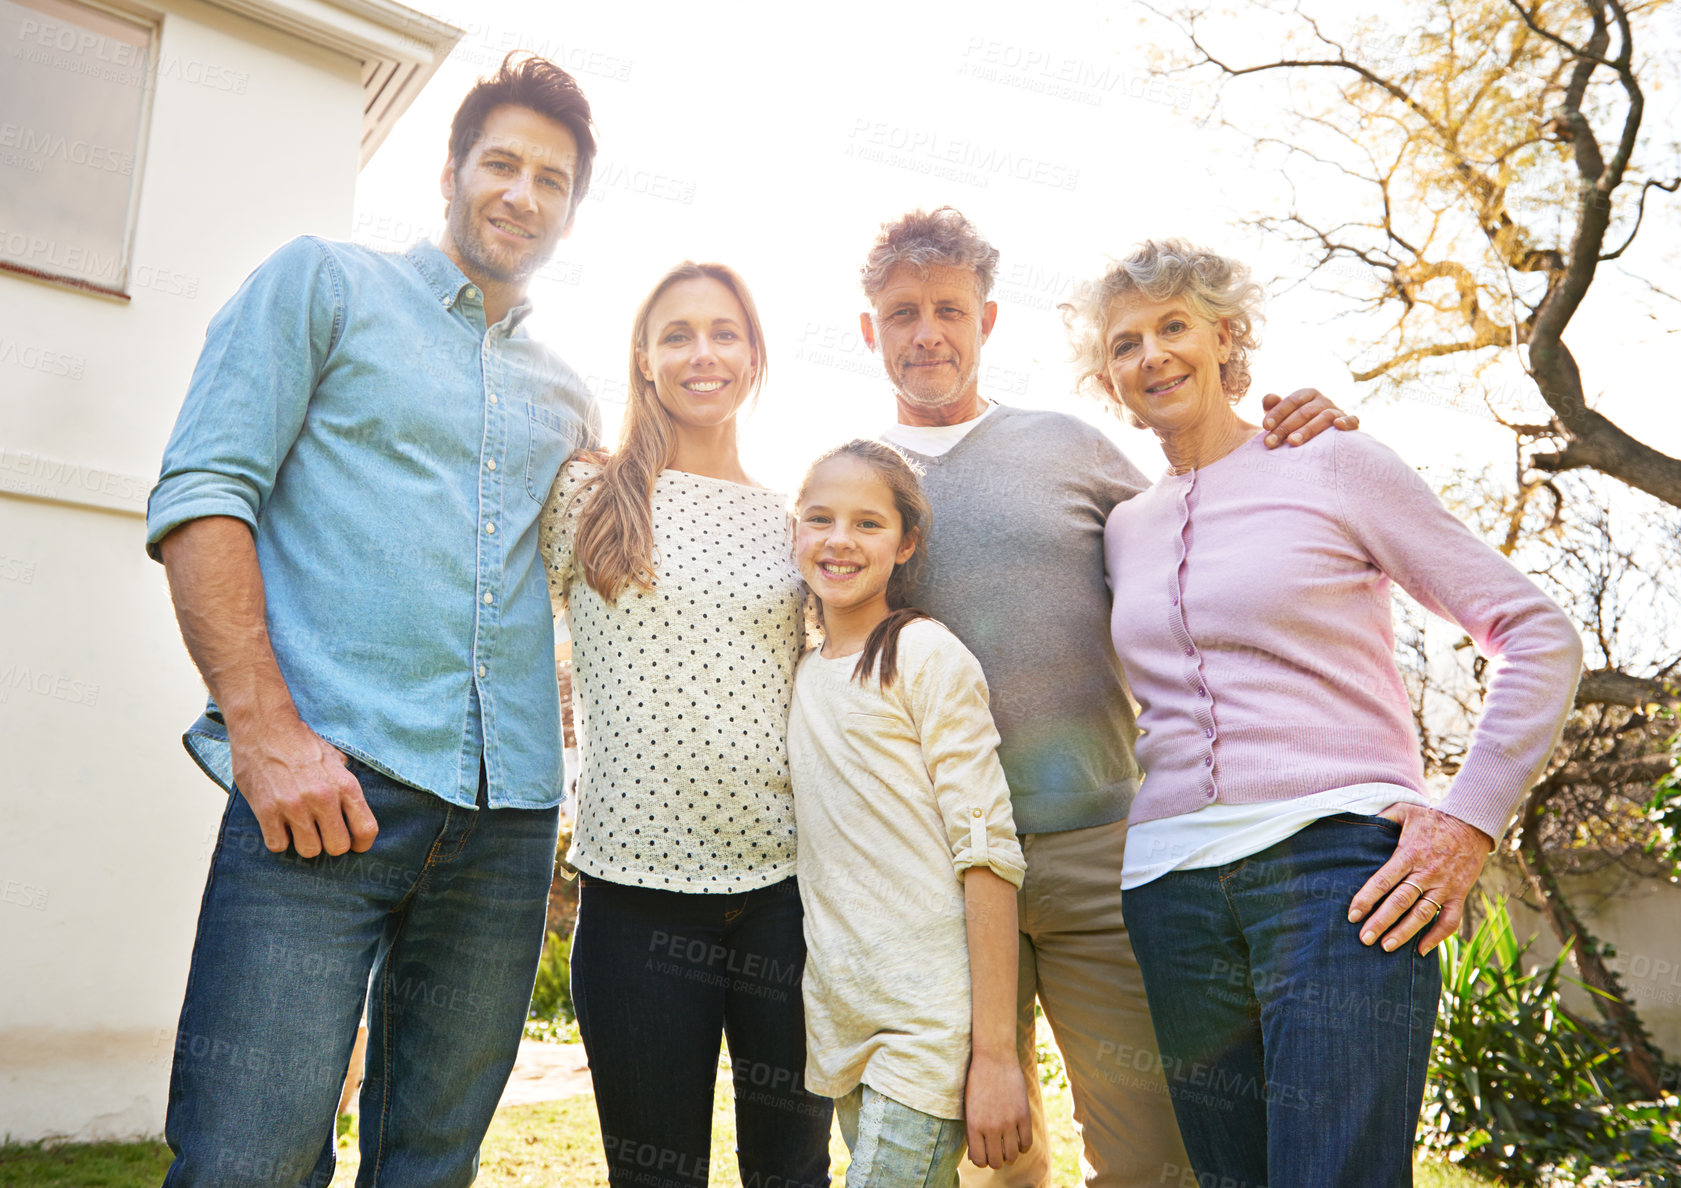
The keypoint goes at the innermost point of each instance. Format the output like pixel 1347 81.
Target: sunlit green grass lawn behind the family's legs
pixel 551 1143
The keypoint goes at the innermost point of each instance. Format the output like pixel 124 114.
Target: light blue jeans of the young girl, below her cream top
pixel 897 1147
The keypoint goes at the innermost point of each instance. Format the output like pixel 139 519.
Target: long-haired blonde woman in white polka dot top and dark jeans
pixel 685 607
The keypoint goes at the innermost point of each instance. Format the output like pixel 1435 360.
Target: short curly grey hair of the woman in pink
pixel 1161 270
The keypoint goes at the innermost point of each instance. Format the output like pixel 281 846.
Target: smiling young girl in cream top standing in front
pixel 909 861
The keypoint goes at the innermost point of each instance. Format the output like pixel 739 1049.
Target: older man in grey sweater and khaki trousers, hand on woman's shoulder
pixel 1014 567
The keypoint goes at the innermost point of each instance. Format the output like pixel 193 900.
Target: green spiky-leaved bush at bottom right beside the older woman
pixel 1524 1090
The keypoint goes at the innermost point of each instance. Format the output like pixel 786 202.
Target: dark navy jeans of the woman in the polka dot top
pixel 658 977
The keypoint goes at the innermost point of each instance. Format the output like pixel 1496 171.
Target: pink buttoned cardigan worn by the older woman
pixel 1253 619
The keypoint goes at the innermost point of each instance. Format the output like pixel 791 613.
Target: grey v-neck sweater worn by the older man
pixel 1014 567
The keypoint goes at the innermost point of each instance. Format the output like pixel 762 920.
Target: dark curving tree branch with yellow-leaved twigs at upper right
pixel 1482 147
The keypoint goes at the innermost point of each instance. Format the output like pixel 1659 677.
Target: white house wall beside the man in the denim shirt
pixel 105 823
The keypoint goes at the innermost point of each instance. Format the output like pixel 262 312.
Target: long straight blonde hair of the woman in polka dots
pixel 616 528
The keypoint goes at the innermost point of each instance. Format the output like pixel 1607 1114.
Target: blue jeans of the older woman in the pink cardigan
pixel 1295 1054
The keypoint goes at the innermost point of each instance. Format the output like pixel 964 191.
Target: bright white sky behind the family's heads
pixel 777 139
